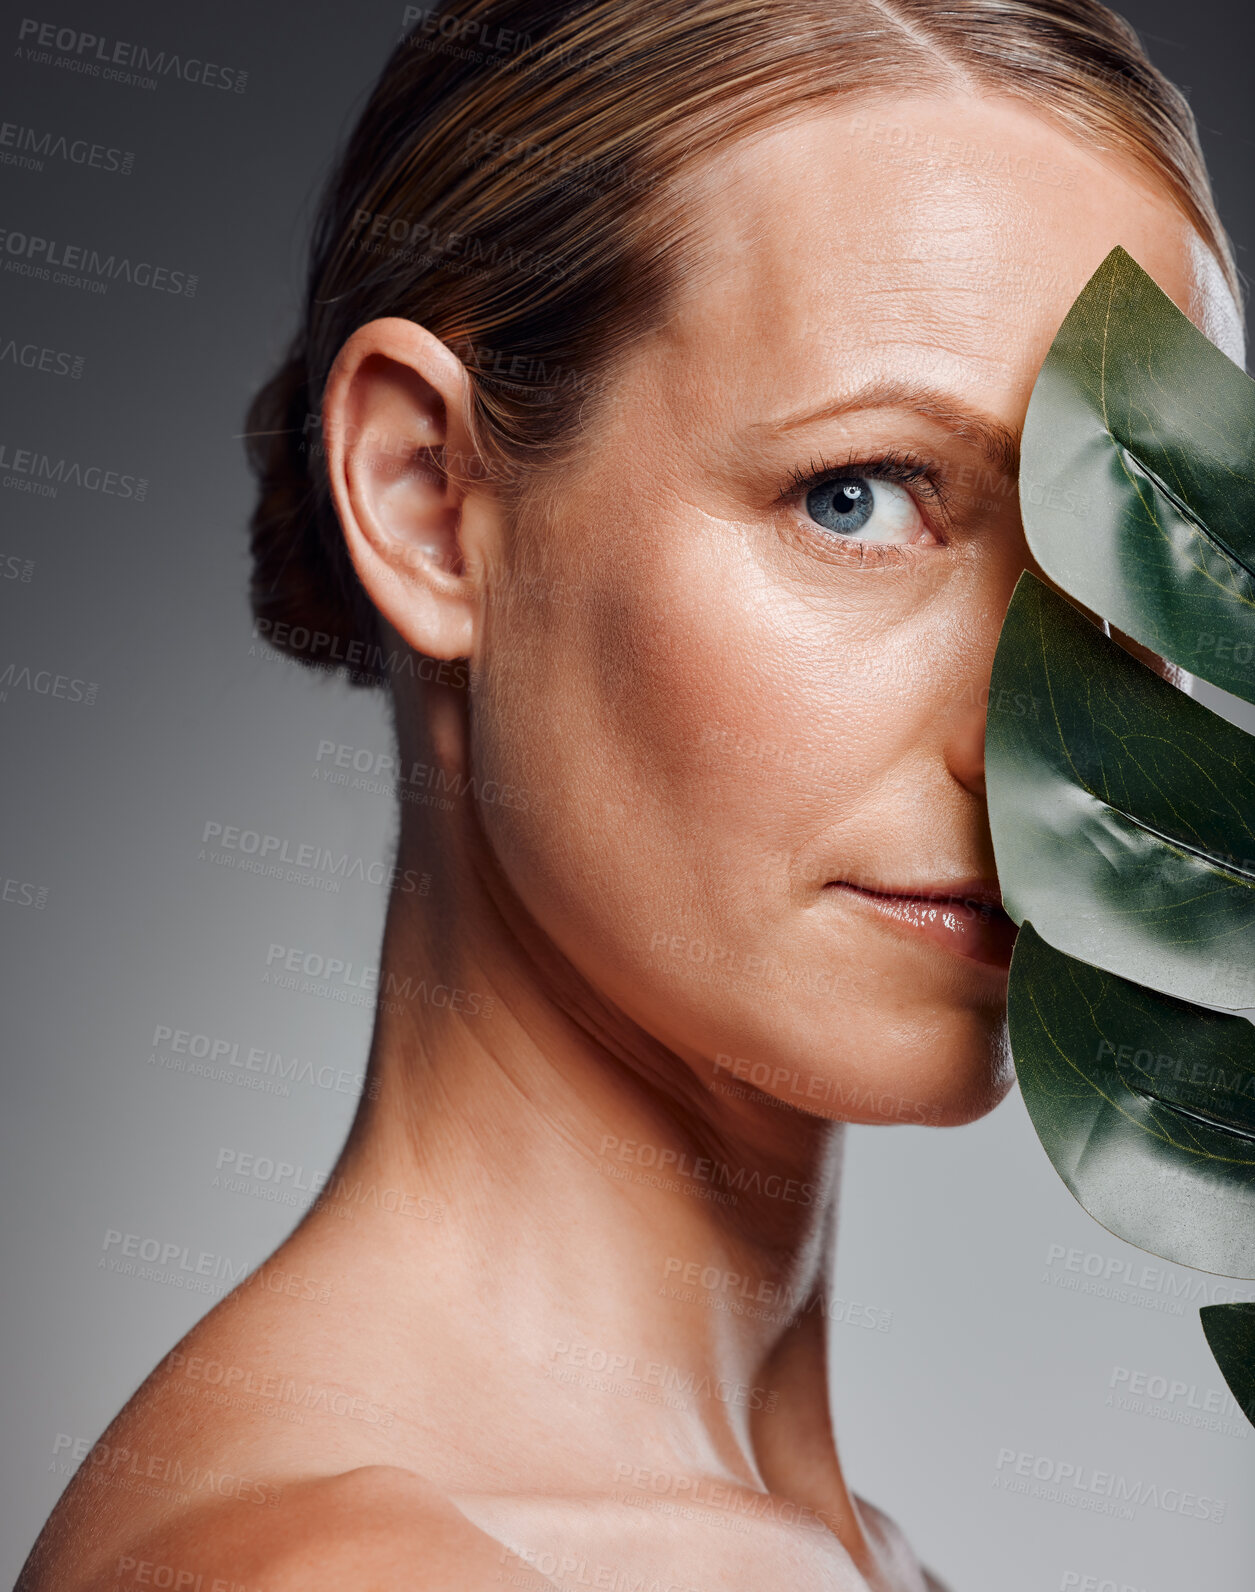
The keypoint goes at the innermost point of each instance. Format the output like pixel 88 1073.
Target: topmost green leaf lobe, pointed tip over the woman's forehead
pixel 1138 477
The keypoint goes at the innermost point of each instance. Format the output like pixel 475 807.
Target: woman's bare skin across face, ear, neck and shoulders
pixel 520 1389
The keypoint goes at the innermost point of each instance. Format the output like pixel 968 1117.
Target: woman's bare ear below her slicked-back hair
pixel 396 424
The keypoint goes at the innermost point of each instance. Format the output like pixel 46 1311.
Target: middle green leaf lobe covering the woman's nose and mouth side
pixel 1122 811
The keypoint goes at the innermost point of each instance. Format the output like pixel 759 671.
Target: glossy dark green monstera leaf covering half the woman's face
pixel 1124 813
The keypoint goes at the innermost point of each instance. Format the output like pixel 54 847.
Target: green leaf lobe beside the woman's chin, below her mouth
pixel 1144 1104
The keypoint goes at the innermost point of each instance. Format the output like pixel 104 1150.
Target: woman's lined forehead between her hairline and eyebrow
pixel 928 240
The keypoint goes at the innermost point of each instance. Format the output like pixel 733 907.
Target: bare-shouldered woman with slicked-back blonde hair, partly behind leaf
pixel 670 364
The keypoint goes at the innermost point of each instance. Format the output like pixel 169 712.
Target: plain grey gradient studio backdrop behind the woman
pixel 195 724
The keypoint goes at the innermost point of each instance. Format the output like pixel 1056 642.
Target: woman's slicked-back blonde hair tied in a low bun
pixel 509 187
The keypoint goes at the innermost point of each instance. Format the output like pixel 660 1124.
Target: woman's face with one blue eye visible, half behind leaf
pixel 746 693
